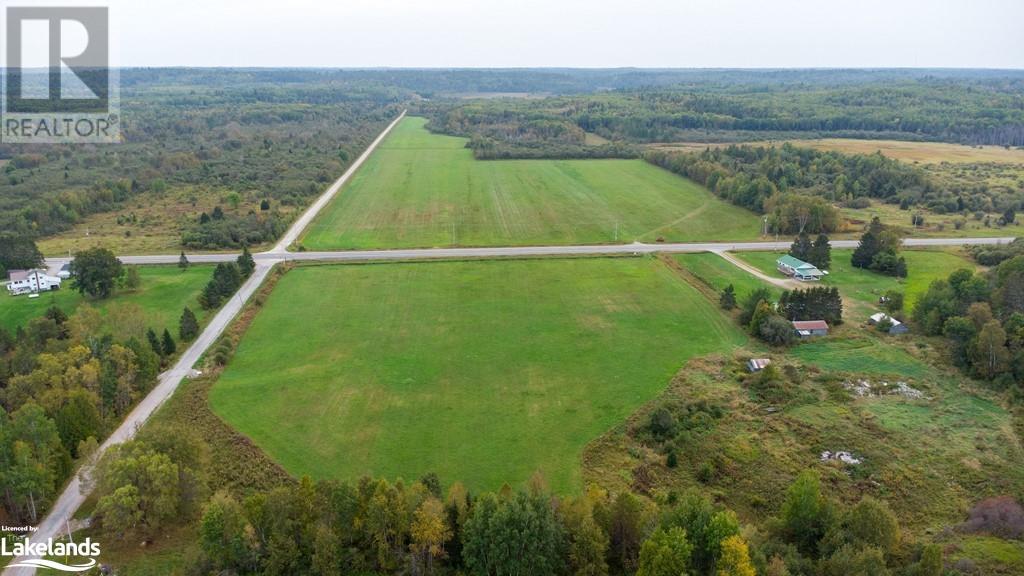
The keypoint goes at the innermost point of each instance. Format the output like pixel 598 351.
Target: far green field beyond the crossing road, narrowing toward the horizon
pixel 424 190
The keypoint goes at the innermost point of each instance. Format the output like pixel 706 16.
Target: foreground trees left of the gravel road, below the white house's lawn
pixel 68 382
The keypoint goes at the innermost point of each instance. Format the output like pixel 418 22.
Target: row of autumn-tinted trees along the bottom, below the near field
pixel 380 527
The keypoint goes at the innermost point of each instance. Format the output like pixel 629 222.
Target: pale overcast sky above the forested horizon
pixel 571 33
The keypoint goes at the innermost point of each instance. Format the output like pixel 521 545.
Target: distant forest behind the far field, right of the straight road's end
pixel 734 107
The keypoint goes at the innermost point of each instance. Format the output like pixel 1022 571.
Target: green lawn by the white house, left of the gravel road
pixel 164 293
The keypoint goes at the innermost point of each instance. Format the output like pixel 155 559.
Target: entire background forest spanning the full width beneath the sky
pixel 267 141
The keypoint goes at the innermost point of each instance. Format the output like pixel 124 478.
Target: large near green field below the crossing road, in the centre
pixel 481 372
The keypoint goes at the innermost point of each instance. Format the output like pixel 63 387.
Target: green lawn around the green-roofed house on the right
pixel 865 286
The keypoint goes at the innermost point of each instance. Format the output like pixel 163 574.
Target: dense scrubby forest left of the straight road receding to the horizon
pixel 253 141
